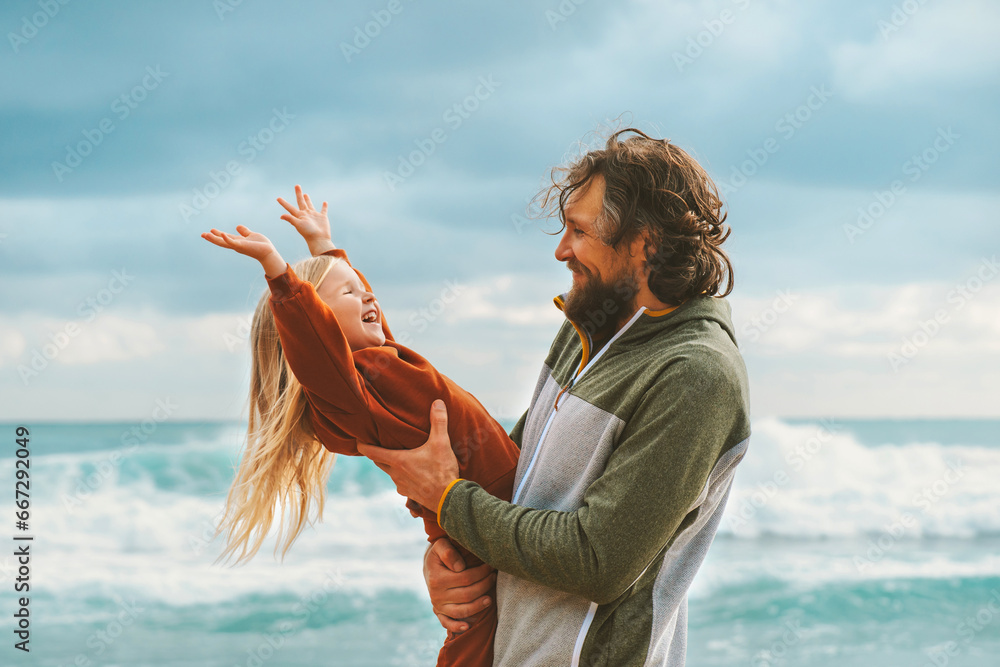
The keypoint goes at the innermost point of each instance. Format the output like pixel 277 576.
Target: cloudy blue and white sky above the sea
pixel 855 144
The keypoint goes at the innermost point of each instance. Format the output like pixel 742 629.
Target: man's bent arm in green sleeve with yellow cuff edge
pixel 652 481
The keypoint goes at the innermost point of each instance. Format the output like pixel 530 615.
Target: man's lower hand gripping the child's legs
pixel 457 594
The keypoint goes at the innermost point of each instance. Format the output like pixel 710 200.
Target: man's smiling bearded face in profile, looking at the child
pixel 605 282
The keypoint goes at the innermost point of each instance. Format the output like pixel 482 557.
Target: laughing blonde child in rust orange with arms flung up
pixel 326 368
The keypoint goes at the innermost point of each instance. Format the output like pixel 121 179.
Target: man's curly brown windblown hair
pixel 652 185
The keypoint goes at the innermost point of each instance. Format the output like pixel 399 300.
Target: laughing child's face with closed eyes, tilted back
pixel 357 311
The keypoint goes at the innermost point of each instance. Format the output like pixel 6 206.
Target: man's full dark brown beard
pixel 599 305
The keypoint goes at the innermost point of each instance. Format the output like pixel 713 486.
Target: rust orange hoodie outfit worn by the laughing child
pixel 382 396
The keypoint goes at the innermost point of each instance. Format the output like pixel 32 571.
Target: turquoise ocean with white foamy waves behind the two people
pixel 845 543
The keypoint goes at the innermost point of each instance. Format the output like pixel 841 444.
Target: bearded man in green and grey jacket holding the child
pixel 628 449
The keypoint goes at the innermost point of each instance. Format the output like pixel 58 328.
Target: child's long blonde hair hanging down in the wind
pixel 283 460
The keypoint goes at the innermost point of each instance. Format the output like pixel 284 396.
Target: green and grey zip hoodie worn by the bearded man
pixel 620 487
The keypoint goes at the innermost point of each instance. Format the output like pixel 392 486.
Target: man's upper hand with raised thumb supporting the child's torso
pixel 425 472
